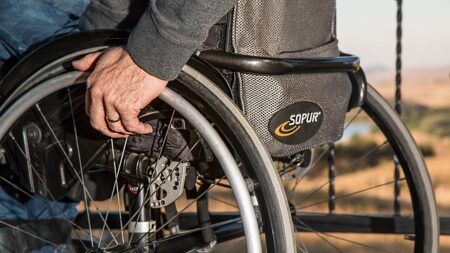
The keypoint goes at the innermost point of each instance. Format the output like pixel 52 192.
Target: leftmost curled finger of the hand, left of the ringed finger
pixel 97 115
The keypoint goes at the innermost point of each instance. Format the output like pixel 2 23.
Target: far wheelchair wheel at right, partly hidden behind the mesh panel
pixel 346 196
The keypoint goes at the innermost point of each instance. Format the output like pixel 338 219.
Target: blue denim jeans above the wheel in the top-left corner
pixel 28 23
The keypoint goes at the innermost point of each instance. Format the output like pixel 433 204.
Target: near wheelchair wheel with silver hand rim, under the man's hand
pixel 162 192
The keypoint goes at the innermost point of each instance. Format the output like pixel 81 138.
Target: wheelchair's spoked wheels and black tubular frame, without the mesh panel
pixel 234 197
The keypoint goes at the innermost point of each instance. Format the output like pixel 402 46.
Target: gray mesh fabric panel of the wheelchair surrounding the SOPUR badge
pixel 289 29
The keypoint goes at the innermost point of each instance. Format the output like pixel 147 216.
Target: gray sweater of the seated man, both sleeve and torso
pixel 167 31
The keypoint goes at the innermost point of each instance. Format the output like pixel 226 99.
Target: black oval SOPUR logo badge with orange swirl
pixel 296 123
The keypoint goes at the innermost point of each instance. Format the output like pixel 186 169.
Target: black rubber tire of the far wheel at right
pixel 419 183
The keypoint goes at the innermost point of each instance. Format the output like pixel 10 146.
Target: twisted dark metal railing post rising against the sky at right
pixel 398 100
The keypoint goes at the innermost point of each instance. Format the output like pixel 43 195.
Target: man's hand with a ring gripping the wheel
pixel 117 90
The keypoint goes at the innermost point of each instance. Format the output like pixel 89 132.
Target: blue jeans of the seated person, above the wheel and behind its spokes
pixel 26 24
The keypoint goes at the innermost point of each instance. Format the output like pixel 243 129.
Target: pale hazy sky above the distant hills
pixel 367 28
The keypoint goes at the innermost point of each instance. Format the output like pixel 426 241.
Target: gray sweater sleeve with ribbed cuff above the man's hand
pixel 169 32
